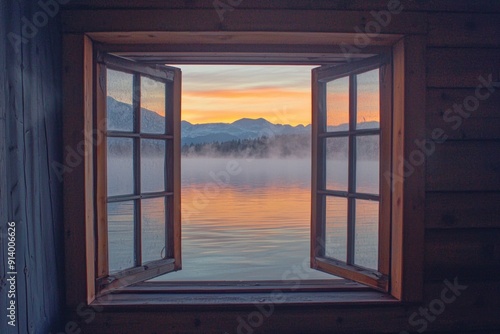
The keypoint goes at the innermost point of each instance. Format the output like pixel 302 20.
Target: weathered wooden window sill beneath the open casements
pixel 157 296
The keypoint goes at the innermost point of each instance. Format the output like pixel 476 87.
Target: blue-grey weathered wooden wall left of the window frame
pixel 30 192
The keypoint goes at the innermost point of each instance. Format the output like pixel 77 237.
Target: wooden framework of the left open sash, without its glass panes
pixel 171 77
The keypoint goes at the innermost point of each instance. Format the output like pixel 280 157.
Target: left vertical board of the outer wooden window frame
pixel 78 207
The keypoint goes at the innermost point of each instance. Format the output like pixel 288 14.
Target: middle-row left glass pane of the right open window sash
pixel 337 163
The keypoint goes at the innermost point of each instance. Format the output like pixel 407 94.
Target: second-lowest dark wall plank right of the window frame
pixel 469 254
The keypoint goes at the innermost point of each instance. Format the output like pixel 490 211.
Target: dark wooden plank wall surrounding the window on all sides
pixel 462 211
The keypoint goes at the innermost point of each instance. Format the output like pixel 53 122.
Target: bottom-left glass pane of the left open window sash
pixel 121 253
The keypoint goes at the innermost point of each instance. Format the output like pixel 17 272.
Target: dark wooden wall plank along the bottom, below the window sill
pixel 474 306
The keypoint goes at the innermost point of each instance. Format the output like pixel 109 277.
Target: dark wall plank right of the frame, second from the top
pixel 464 30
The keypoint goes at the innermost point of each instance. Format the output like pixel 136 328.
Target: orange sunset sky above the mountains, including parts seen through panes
pixel 226 93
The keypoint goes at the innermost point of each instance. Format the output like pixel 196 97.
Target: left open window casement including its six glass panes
pixel 131 210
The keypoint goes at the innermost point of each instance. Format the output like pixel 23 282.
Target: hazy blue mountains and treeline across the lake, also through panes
pixel 244 137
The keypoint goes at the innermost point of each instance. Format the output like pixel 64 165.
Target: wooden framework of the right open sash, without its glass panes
pixel 379 278
